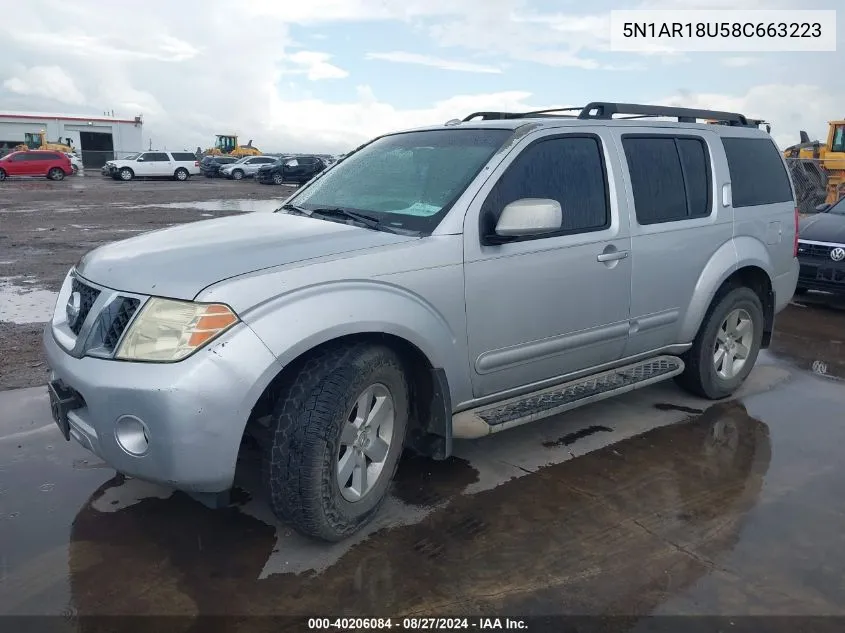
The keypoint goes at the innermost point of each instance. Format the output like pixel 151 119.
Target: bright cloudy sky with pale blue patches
pixel 325 75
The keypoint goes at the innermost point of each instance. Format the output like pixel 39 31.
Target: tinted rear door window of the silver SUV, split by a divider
pixel 670 177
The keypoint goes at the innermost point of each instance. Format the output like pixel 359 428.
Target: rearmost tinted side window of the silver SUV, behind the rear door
pixel 758 175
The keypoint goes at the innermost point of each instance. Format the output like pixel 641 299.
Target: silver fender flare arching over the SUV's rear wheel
pixel 737 253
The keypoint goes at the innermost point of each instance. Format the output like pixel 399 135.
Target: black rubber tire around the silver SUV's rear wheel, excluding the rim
pixel 700 377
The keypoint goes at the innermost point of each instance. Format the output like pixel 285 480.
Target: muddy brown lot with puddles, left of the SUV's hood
pixel 45 227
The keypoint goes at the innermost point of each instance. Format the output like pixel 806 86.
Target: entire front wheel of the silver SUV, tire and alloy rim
pixel 338 432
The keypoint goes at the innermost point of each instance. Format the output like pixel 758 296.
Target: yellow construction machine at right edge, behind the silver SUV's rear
pixel 818 169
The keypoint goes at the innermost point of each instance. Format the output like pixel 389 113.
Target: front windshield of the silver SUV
pixel 408 180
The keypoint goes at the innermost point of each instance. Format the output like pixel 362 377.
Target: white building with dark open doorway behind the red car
pixel 96 138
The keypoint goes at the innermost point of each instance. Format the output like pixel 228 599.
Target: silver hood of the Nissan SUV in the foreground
pixel 179 261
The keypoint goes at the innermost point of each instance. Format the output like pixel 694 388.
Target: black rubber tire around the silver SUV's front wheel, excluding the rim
pixel 301 458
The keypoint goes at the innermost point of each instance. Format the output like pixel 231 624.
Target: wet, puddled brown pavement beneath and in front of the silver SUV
pixel 651 503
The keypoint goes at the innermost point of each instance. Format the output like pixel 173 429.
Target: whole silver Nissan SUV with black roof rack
pixel 446 282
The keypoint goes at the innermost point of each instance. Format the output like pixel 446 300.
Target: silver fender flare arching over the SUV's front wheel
pixel 298 321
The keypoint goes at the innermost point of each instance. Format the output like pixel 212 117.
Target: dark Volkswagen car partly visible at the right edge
pixel 821 250
